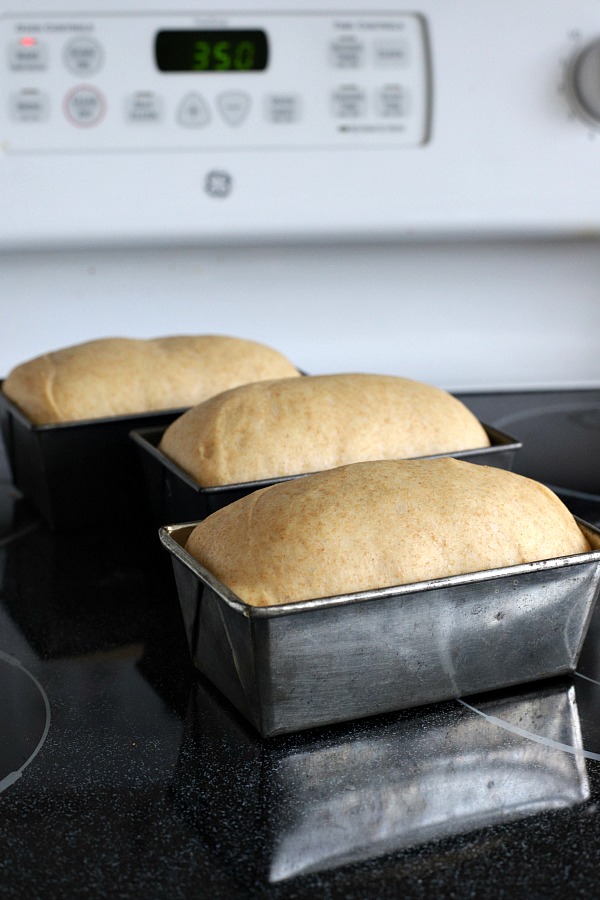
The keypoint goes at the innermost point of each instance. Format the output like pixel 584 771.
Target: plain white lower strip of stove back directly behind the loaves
pixel 465 316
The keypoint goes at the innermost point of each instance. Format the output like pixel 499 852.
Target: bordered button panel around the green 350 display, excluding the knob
pixel 174 82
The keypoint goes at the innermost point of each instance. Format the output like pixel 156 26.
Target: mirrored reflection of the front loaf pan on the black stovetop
pixel 318 800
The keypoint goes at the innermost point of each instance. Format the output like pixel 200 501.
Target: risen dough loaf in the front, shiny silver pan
pixel 378 524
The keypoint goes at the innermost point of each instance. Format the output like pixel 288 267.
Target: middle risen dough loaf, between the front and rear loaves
pixel 288 427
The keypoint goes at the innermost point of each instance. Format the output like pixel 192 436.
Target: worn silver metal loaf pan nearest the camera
pixel 317 662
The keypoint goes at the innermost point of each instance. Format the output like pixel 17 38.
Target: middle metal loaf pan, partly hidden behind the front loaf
pixel 177 497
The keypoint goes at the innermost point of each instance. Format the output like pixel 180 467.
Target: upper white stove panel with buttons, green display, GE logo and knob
pixel 284 121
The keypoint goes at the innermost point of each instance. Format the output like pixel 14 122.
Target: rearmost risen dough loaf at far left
pixel 121 376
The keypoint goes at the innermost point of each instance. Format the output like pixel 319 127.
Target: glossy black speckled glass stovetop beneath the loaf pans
pixel 124 774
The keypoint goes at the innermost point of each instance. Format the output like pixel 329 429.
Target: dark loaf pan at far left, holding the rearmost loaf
pixel 75 469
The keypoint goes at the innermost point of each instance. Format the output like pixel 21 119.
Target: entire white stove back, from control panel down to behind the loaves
pixel 410 189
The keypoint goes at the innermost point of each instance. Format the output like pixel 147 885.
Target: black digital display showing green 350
pixel 211 51
